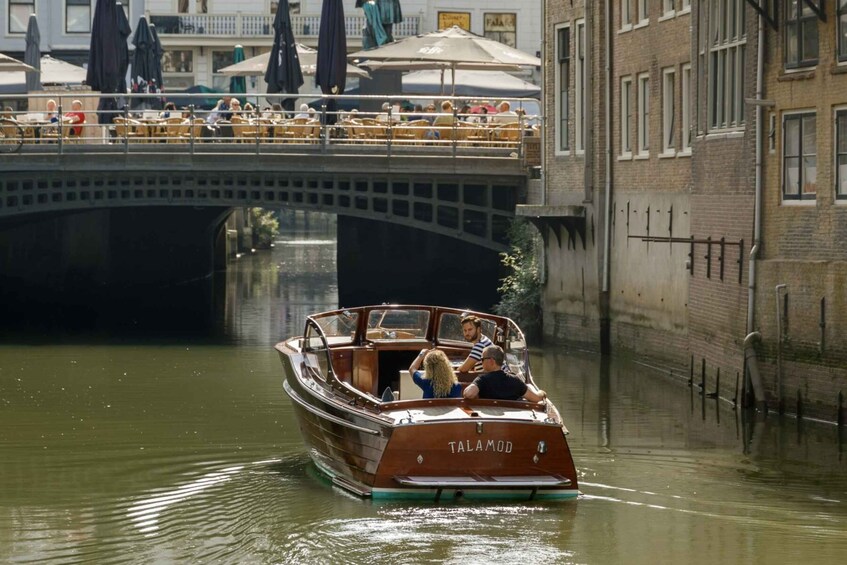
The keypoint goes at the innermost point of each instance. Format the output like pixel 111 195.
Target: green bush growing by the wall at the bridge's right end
pixel 520 291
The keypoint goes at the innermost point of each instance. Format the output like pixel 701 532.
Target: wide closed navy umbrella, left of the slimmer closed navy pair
pixel 105 72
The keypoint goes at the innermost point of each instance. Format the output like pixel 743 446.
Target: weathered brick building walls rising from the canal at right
pixel 668 174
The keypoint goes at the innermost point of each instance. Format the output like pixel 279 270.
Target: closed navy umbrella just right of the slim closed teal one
pixel 283 72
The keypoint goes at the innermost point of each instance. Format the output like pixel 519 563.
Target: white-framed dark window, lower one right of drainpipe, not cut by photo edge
pixel 799 157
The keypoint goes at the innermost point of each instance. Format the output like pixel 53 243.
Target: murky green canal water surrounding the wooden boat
pixel 173 442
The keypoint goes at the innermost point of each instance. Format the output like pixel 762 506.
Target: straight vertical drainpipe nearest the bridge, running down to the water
pixel 607 229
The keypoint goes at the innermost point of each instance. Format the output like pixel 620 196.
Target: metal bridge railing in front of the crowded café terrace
pixel 79 122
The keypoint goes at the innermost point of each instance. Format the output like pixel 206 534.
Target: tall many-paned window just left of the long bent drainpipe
pixel 727 47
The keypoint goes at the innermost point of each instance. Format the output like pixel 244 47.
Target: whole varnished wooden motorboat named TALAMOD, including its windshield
pixel 405 446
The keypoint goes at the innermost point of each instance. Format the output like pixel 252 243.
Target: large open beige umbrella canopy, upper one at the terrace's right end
pixel 453 46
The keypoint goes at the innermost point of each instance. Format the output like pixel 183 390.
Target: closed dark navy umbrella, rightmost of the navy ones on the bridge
pixel 331 74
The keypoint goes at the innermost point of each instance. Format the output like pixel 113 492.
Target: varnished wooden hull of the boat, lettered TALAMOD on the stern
pixel 444 448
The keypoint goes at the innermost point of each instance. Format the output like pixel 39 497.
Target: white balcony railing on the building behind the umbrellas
pixel 261 25
